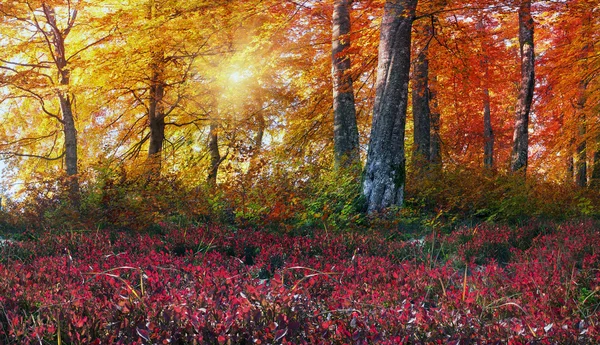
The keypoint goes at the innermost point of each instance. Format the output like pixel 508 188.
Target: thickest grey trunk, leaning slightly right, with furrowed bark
pixel 384 176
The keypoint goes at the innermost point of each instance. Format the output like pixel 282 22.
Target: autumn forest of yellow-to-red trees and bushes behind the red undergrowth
pixel 127 114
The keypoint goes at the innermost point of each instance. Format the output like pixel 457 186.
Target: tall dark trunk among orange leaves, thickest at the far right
pixel 521 134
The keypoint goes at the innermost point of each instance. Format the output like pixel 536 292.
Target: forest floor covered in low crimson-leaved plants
pixel 534 284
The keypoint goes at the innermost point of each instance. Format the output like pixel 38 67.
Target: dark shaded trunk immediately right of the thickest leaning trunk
pixel 421 111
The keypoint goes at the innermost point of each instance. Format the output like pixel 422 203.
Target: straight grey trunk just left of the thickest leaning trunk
pixel 346 149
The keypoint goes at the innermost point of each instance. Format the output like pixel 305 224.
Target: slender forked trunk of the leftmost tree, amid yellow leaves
pixel 66 106
